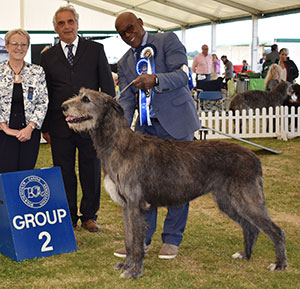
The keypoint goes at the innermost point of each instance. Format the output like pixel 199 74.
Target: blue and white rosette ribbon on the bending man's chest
pixel 145 64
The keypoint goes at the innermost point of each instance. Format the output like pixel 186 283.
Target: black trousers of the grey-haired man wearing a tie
pixel 64 156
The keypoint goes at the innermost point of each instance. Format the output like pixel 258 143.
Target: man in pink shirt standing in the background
pixel 202 64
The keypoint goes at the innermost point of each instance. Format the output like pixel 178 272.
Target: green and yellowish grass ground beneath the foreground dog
pixel 204 259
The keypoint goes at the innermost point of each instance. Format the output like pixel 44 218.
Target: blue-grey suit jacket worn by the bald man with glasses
pixel 172 103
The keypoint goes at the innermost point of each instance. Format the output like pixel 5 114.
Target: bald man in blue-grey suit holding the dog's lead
pixel 172 111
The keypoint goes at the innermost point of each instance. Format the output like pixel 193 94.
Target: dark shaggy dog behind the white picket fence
pixel 259 99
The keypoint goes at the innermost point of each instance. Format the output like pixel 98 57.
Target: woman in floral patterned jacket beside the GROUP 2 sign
pixel 23 105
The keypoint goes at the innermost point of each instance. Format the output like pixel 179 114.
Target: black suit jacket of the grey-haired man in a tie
pixel 90 70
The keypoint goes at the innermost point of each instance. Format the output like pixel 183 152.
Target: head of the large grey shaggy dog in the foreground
pixel 84 111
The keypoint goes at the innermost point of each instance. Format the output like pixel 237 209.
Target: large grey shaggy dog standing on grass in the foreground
pixel 143 172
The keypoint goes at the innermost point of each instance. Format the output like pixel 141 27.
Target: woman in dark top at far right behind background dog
pixel 289 67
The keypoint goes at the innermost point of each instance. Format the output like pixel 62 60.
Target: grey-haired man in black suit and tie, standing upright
pixel 68 68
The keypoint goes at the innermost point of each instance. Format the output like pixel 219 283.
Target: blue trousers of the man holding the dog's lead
pixel 176 218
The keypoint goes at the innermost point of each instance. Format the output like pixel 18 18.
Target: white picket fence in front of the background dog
pixel 253 124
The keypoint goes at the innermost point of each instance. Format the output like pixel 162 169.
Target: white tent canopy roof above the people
pixel 163 15
